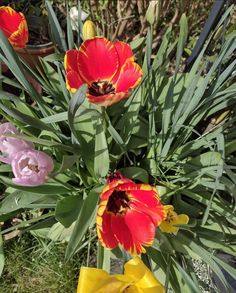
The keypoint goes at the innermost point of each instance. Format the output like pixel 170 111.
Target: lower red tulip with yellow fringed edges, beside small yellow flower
pixel 128 214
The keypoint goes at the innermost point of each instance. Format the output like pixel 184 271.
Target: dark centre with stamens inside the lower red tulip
pixel 118 202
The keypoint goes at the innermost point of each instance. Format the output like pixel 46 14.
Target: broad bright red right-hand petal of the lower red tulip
pixel 141 228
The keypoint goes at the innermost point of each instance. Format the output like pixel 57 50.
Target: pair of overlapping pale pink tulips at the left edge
pixel 29 166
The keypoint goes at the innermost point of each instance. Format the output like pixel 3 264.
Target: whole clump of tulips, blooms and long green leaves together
pixel 120 149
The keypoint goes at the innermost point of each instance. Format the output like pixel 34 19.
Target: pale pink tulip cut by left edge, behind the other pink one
pixel 10 145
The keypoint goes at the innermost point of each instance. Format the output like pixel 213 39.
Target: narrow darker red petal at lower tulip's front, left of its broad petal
pixel 123 234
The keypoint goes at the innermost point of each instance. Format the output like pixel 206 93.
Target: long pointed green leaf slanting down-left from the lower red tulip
pixel 84 221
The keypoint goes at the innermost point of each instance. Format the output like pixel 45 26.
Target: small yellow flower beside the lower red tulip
pixel 172 219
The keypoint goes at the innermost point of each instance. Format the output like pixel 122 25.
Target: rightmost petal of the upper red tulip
pixel 130 76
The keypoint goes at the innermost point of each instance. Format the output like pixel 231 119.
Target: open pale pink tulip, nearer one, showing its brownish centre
pixel 31 167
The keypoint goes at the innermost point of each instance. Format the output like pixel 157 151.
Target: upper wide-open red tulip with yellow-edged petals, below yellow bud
pixel 107 68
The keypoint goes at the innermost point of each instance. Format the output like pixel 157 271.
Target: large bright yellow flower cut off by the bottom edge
pixel 137 278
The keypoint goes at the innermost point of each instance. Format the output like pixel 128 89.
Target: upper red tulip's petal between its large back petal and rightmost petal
pixel 124 53
